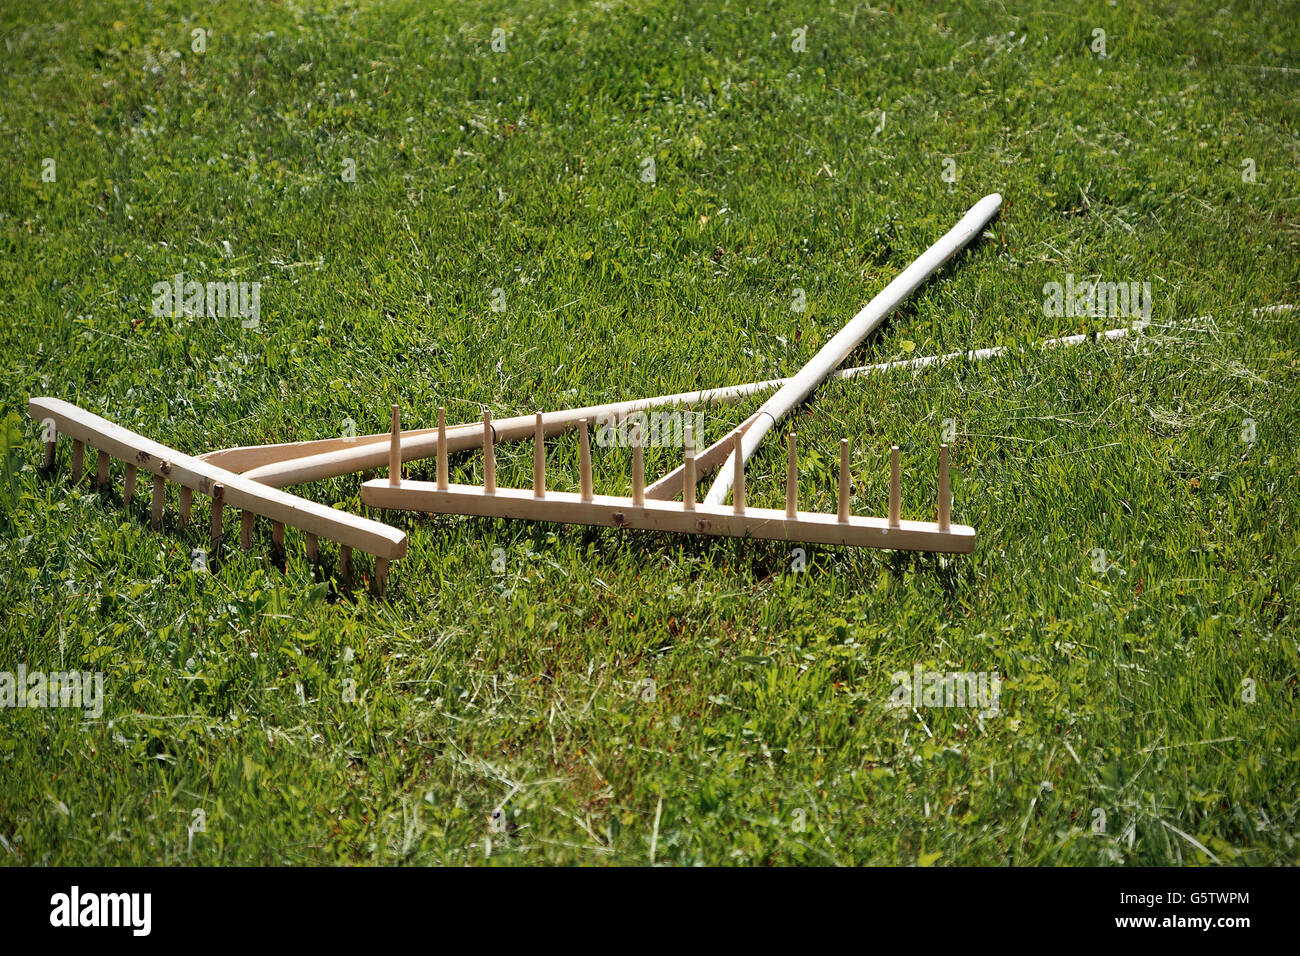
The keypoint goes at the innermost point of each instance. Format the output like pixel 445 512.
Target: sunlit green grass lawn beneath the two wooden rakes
pixel 629 698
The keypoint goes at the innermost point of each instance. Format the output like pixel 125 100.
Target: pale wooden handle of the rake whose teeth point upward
pixel 848 339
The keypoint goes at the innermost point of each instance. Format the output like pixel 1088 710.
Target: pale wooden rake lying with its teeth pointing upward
pixel 656 509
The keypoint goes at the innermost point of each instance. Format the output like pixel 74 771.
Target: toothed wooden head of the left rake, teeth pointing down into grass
pixel 227 488
